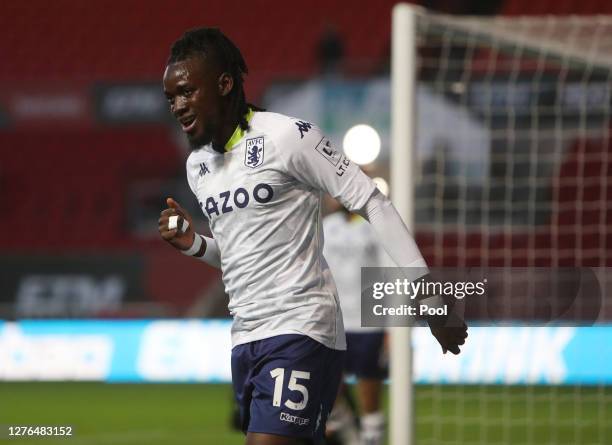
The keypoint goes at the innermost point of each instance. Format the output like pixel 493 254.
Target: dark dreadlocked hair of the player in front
pixel 211 41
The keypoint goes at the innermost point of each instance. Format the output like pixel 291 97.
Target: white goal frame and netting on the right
pixel 510 165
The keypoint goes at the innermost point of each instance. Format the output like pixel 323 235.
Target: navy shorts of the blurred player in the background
pixel 365 355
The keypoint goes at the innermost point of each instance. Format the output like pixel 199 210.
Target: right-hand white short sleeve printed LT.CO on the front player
pixel 310 157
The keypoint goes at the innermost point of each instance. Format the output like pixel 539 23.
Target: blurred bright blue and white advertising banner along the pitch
pixel 199 351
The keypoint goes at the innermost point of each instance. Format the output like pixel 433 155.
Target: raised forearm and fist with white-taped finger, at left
pixel 175 226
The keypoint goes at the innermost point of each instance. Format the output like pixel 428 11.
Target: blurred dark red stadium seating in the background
pixel 66 183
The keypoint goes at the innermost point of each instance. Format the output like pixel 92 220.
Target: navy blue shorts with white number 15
pixel 286 385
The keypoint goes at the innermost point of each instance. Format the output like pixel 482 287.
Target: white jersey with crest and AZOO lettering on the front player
pixel 262 200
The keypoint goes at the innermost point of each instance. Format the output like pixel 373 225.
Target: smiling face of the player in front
pixel 193 94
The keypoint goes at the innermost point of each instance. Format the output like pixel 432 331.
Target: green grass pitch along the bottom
pixel 156 414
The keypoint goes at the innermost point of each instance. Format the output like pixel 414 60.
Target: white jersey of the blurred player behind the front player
pixel 350 244
